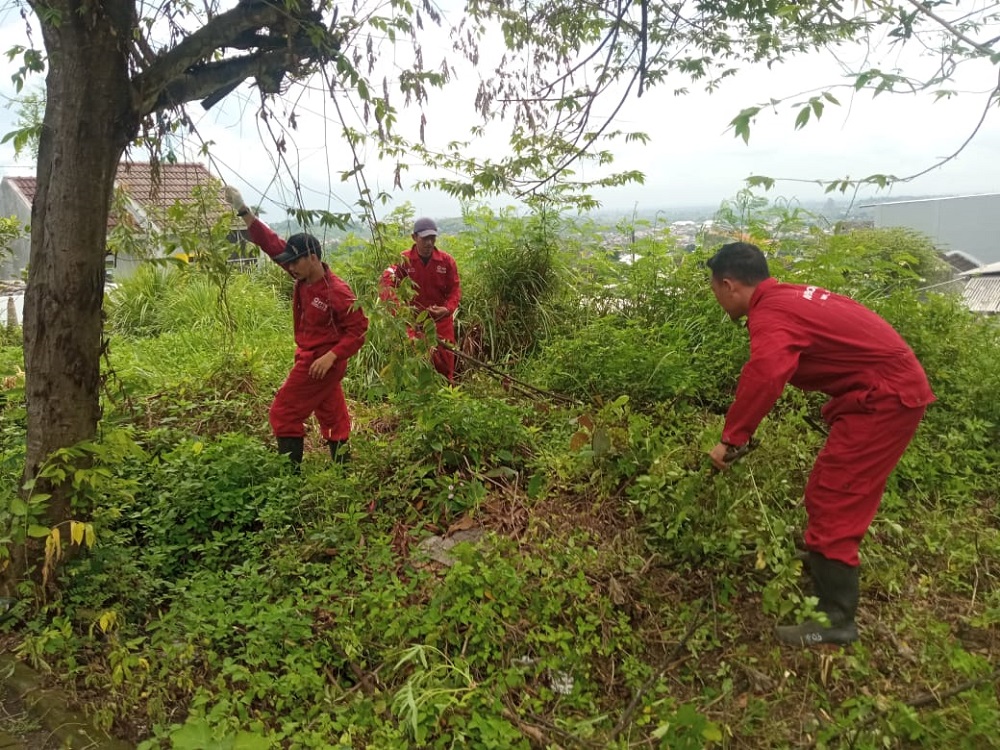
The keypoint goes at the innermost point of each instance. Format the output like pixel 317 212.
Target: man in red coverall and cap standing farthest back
pixel 438 291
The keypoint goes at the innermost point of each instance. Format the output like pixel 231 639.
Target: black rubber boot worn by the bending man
pixel 837 588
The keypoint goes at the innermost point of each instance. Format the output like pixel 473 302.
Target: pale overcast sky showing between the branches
pixel 692 159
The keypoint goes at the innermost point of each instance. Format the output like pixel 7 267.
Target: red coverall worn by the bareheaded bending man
pixel 820 341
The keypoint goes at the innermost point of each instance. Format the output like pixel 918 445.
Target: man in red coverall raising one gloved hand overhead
pixel 329 328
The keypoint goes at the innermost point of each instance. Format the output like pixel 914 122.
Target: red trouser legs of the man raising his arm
pixel 301 395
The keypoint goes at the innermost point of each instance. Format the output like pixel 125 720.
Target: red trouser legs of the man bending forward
pixel 868 435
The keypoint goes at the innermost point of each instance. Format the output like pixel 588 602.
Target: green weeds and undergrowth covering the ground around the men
pixel 613 591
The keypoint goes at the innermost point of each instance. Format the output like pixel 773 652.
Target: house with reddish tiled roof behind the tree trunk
pixel 148 196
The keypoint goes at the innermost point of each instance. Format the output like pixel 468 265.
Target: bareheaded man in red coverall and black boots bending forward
pixel 820 341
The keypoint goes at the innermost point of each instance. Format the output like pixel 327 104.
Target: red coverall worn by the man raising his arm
pixel 324 319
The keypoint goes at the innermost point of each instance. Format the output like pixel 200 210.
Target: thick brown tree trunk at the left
pixel 88 122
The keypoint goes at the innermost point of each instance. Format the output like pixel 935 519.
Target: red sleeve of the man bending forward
pixel 774 357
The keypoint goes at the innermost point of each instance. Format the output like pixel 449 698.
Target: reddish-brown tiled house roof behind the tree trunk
pixel 154 192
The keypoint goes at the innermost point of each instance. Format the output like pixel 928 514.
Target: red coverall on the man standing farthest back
pixel 436 283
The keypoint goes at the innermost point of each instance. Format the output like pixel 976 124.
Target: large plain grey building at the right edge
pixel 968 224
